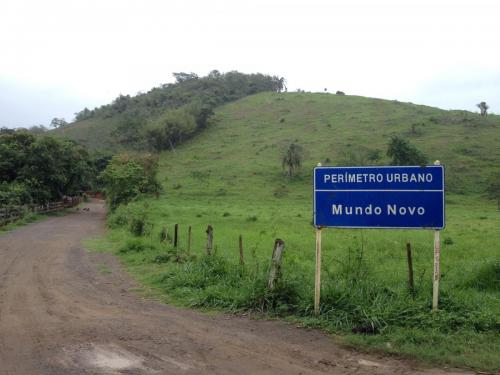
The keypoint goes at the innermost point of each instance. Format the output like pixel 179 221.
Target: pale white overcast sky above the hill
pixel 58 56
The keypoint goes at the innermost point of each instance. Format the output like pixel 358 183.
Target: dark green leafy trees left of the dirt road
pixel 38 170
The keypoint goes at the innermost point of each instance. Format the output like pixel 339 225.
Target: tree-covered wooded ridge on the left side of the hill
pixel 167 115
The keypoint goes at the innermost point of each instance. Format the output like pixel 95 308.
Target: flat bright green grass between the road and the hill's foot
pixel 365 298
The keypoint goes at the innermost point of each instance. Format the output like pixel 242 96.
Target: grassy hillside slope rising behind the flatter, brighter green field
pixel 246 143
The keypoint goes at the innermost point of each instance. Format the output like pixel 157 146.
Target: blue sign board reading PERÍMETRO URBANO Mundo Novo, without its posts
pixel 379 197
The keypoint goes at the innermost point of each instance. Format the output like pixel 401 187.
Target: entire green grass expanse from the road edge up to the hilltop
pixel 230 176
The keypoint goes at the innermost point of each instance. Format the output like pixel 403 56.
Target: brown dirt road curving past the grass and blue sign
pixel 65 311
